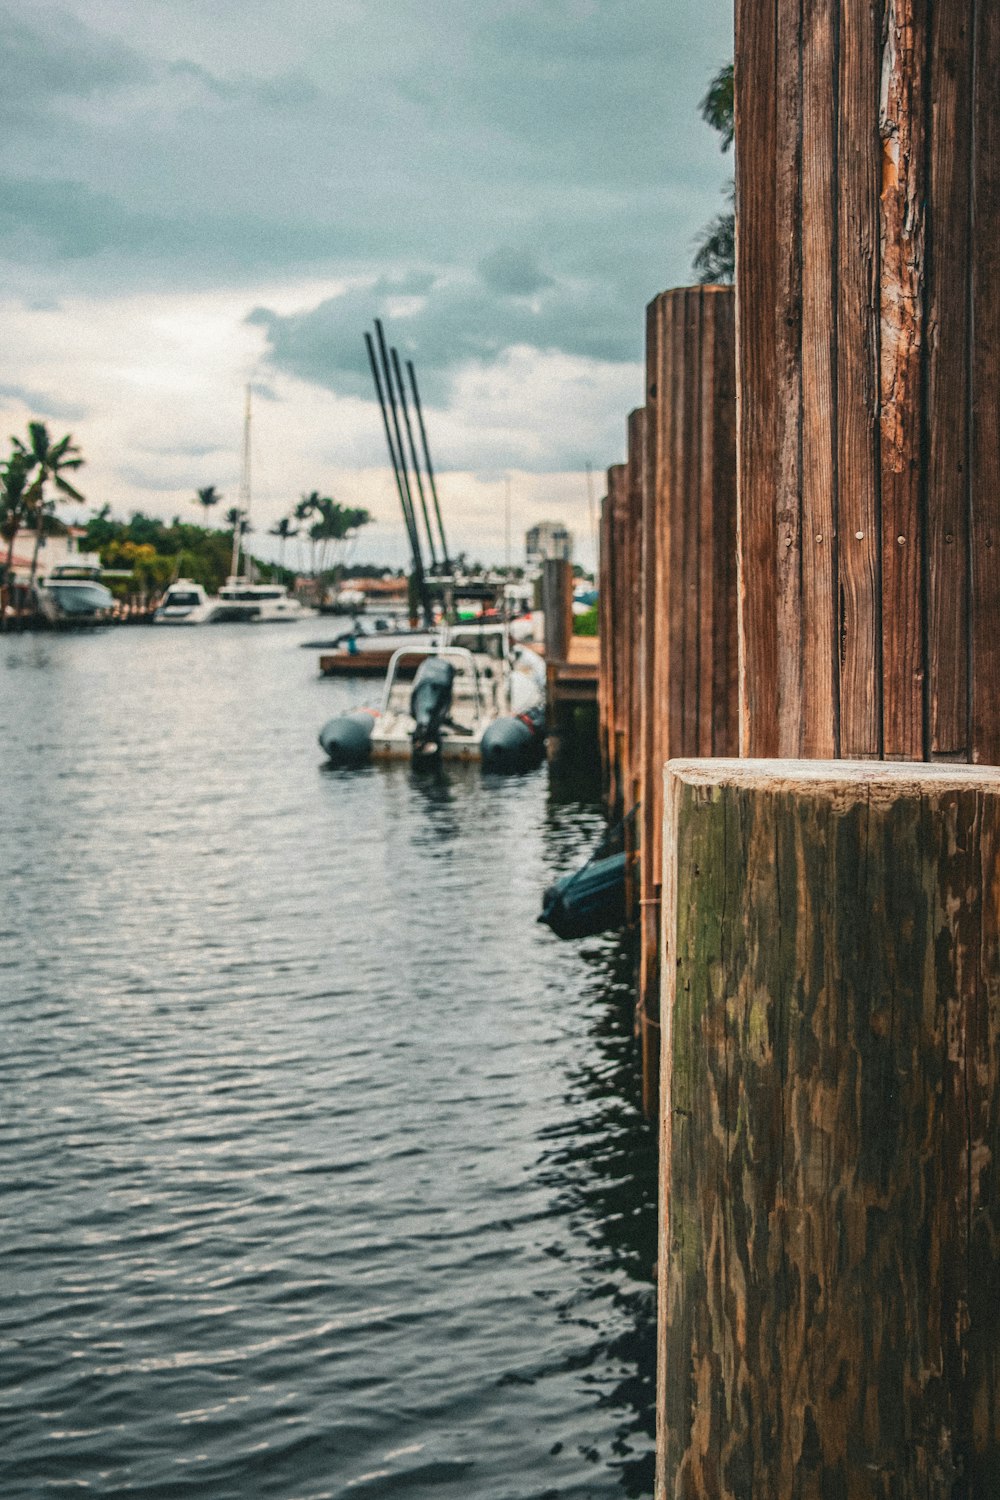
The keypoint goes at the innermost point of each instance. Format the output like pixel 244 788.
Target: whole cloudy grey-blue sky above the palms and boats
pixel 197 194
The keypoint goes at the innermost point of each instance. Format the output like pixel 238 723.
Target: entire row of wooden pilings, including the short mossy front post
pixel 819 581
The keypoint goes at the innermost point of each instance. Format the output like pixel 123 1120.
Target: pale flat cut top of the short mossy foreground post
pixel 893 778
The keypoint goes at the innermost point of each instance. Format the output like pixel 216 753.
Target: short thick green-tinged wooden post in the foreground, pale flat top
pixel 831 1132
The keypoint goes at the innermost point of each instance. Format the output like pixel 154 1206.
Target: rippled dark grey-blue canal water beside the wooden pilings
pixel 322 1165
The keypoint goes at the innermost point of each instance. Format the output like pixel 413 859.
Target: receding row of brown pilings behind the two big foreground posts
pixel 668 581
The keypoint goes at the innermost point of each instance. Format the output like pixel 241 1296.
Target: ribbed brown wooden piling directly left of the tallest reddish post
pixel 687 602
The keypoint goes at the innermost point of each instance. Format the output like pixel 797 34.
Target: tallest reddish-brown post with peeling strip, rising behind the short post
pixel 869 289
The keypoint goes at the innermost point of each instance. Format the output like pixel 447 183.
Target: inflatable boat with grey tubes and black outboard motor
pixel 475 697
